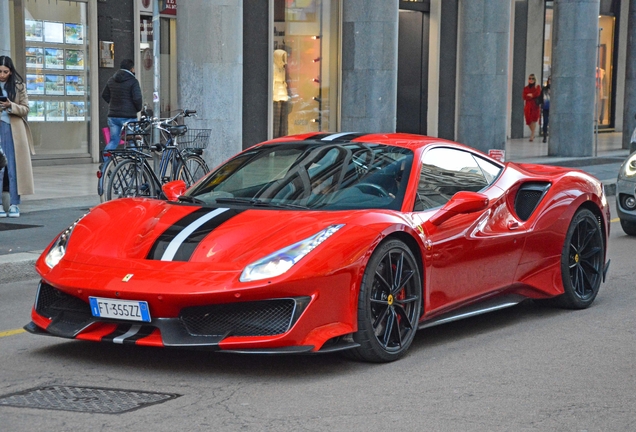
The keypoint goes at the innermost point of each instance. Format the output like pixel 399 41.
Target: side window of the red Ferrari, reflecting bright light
pixel 444 172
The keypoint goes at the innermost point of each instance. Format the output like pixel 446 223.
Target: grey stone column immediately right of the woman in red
pixel 574 50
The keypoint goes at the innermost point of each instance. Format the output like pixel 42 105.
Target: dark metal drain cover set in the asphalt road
pixel 85 399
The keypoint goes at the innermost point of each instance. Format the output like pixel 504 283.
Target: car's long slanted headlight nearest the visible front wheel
pixel 280 261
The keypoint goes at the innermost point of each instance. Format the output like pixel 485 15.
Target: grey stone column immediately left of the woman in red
pixel 484 36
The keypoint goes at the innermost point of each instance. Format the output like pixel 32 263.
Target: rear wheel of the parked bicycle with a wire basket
pixel 131 178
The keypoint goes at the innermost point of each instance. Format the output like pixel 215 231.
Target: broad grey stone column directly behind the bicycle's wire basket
pixel 210 65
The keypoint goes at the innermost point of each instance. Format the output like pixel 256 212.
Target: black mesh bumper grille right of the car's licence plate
pixel 261 318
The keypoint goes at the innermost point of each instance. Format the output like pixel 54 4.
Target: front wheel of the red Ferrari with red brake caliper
pixel 389 304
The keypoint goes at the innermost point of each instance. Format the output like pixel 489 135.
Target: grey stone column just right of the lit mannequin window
pixel 369 65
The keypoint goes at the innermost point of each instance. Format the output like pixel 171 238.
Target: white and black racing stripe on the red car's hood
pixel 179 241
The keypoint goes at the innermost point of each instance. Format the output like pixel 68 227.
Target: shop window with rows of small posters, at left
pixel 56 59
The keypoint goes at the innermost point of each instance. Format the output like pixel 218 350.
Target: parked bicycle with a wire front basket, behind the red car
pixel 180 159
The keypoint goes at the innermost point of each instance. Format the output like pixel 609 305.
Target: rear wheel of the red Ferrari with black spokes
pixel 582 261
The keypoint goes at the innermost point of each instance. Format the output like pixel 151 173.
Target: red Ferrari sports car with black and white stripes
pixel 326 242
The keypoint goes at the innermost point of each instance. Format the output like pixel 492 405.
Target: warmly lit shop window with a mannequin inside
pixel 305 66
